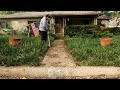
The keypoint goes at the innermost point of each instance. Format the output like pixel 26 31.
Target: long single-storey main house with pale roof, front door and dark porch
pixel 19 21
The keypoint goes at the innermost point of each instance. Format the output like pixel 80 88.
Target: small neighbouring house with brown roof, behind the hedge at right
pixel 104 19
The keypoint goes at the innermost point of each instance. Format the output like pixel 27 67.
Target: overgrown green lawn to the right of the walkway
pixel 88 51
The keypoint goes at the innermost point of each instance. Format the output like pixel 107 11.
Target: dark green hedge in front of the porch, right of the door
pixel 90 31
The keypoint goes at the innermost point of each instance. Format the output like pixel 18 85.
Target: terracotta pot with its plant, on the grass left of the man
pixel 14 40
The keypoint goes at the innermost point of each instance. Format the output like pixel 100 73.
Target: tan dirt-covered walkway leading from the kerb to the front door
pixel 58 55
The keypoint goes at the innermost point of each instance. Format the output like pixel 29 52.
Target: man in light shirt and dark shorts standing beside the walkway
pixel 44 27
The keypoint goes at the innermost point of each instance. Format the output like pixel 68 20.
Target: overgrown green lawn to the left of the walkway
pixel 30 52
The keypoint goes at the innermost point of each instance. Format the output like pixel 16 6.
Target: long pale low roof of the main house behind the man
pixel 52 13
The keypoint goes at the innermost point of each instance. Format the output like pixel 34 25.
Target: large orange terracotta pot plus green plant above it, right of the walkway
pixel 106 38
